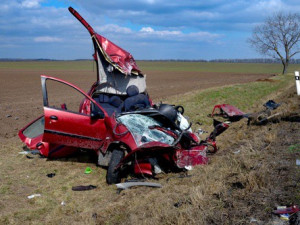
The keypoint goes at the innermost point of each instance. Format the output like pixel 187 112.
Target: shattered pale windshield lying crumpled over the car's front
pixel 138 125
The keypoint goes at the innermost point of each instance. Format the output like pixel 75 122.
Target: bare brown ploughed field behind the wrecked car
pixel 21 96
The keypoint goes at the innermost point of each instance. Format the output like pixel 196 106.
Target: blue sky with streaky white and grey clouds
pixel 148 29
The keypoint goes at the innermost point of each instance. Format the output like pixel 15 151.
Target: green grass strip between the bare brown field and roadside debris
pixel 199 104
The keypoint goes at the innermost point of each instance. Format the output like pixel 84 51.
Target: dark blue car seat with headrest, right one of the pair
pixel 135 100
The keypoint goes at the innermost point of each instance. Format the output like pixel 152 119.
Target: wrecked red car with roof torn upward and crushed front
pixel 117 120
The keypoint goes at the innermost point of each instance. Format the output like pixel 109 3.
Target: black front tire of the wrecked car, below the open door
pixel 113 176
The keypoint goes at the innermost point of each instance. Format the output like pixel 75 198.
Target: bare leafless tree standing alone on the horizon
pixel 278 37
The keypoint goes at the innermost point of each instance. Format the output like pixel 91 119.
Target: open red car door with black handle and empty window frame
pixel 83 129
